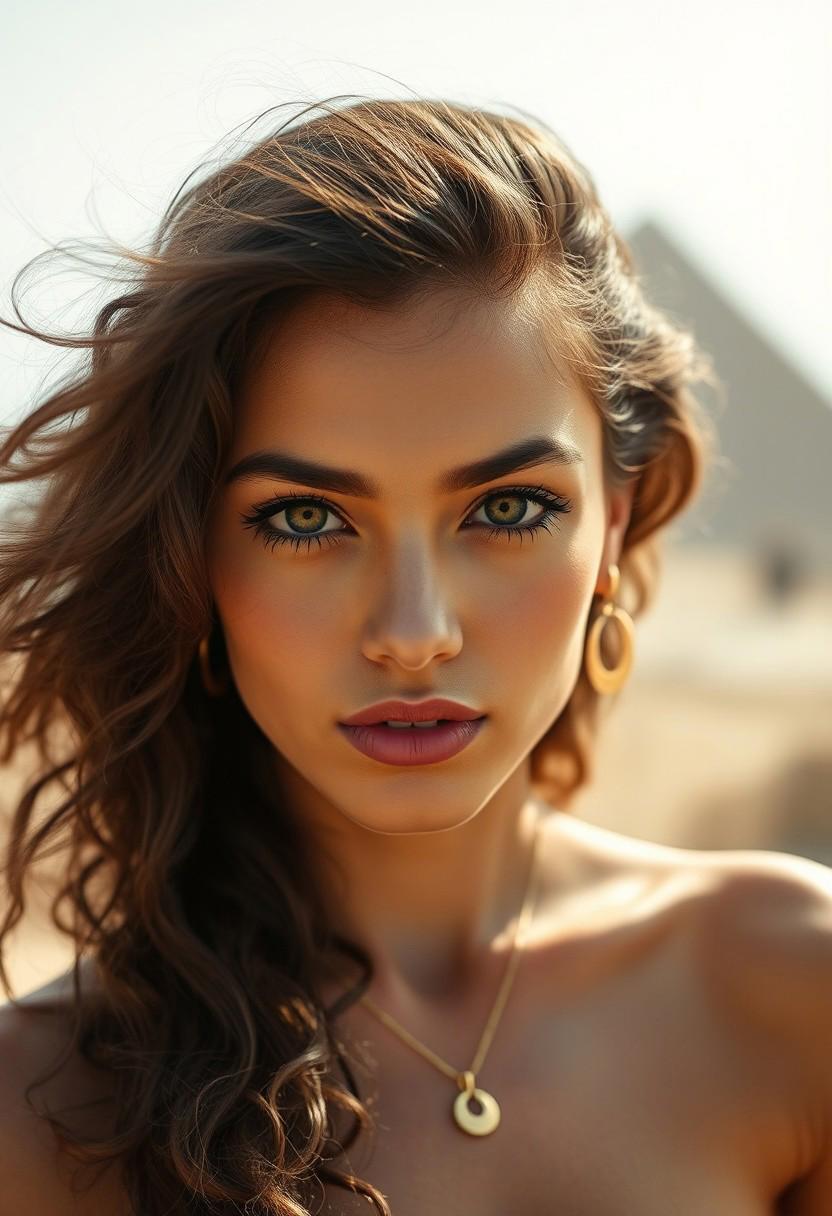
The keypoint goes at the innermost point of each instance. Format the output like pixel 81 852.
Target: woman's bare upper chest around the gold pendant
pixel 633 1096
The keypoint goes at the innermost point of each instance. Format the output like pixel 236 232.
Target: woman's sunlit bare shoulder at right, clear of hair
pixel 762 924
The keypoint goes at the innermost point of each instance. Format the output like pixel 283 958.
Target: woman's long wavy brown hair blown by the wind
pixel 181 875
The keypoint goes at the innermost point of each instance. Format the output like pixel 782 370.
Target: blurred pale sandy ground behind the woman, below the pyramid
pixel 722 740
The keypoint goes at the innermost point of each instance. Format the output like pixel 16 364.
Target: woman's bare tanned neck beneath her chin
pixel 434 910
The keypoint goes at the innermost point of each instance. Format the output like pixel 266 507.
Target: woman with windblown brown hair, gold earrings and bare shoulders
pixel 384 432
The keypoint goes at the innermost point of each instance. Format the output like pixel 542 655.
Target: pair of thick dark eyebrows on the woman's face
pixel 524 454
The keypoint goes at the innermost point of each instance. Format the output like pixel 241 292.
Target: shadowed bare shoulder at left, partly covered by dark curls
pixel 37 1178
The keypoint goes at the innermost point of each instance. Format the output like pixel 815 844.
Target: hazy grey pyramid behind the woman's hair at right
pixel 773 496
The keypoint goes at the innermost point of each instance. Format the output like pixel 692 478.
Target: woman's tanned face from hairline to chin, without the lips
pixel 424 589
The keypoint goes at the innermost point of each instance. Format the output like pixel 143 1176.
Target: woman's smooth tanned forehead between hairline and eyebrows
pixel 411 387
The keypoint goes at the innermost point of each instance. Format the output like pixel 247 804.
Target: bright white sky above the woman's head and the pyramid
pixel 713 119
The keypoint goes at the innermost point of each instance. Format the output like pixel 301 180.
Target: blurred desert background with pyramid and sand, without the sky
pixel 723 738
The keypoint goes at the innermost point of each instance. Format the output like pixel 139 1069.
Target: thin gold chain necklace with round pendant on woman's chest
pixel 487 1119
